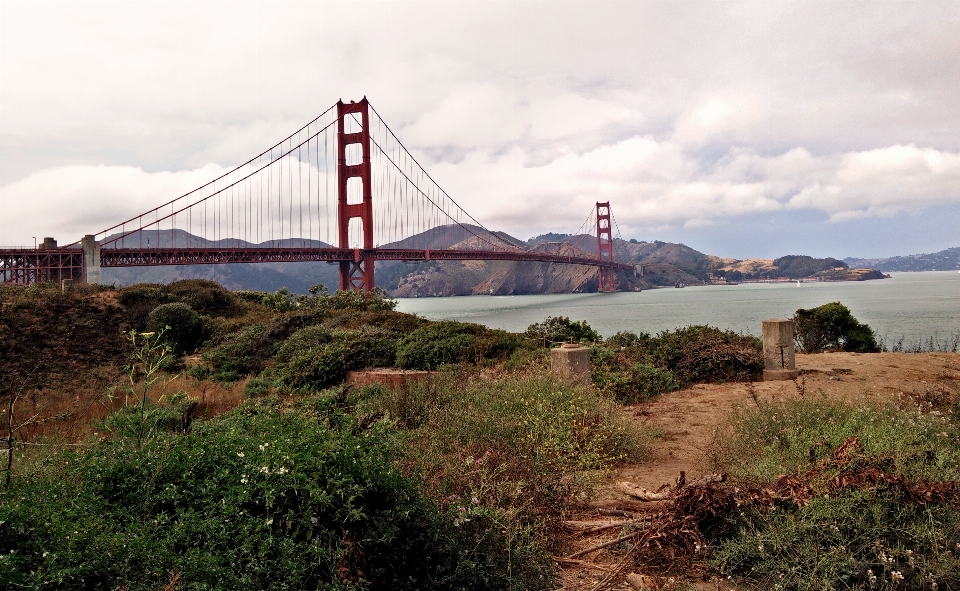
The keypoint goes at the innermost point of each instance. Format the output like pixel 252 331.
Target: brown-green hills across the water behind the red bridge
pixel 659 264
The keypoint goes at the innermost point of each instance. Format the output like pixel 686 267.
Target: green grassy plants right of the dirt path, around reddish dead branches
pixel 849 538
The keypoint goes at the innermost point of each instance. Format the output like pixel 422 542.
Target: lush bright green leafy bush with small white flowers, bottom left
pixel 258 499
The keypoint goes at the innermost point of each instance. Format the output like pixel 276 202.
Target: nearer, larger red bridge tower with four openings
pixel 357 274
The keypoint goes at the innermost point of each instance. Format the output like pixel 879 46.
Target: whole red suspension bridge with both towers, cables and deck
pixel 310 197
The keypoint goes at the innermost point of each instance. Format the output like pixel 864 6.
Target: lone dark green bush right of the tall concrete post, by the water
pixel 831 327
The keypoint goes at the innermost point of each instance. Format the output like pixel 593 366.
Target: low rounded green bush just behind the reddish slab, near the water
pixel 450 342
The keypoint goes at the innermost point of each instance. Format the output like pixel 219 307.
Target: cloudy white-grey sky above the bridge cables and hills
pixel 740 129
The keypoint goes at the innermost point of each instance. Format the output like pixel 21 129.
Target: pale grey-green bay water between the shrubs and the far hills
pixel 909 306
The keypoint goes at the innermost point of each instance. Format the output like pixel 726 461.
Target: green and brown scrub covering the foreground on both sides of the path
pixel 458 480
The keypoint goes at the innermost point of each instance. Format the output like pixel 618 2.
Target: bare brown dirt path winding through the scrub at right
pixel 688 419
